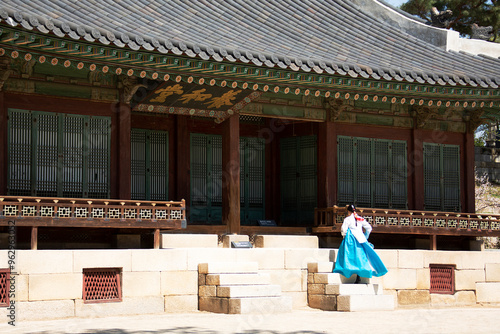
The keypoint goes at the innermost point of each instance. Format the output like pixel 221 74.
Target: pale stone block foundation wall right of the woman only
pixel 408 278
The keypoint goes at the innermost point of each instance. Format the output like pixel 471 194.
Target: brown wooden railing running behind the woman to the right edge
pixel 412 221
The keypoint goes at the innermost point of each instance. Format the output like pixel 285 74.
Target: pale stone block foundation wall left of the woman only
pixel 49 283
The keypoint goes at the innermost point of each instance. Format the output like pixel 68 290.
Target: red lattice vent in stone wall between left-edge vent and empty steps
pixel 102 285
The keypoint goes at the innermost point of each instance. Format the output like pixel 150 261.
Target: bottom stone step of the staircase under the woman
pixel 353 303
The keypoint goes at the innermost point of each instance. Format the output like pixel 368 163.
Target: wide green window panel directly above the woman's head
pixel 372 172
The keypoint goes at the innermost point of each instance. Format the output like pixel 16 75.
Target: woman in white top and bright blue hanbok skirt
pixel 356 254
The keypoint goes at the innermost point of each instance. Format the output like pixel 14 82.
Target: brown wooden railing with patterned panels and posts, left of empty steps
pixel 37 212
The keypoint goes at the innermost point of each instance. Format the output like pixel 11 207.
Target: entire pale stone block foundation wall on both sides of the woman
pixel 49 283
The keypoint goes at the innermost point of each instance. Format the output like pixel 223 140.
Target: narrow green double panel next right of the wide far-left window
pixel 149 165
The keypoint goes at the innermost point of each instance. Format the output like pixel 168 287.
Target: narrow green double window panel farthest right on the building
pixel 442 177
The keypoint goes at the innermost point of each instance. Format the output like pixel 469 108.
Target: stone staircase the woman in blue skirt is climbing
pixel 333 292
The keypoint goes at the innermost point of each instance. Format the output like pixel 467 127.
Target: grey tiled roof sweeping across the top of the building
pixel 332 36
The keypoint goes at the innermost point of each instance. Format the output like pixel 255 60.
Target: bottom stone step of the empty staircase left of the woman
pixel 259 305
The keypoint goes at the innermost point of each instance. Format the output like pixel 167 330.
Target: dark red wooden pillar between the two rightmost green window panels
pixel 416 169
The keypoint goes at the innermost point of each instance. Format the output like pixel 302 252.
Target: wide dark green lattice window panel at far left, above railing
pixel 58 155
